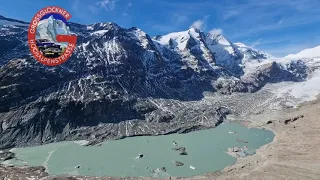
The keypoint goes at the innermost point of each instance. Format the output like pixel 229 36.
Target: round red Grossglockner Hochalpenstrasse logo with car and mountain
pixel 49 38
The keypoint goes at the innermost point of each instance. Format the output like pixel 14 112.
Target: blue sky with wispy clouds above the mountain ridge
pixel 279 27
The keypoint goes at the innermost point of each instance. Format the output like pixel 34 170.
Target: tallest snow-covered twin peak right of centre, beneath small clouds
pixel 212 46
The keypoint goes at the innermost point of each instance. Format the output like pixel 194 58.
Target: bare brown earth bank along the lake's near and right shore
pixel 294 153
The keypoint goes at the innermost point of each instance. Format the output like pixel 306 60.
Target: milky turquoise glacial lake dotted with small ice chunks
pixel 206 152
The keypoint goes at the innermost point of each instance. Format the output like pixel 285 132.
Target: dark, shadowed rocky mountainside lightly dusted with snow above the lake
pixel 118 83
